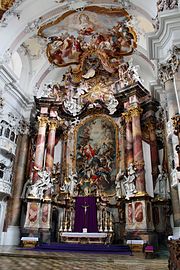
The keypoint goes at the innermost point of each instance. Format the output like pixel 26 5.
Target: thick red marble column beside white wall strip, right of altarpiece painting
pixel 137 149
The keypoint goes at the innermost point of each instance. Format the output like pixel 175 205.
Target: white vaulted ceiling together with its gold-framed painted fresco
pixel 88 37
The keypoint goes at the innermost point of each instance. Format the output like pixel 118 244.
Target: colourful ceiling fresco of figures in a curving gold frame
pixel 89 44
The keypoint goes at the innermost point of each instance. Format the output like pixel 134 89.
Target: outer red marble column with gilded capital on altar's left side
pixel 40 145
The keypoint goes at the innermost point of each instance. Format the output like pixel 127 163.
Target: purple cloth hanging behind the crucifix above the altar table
pixel 85 214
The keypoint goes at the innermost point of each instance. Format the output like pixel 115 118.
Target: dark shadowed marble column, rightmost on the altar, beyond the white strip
pixel 150 123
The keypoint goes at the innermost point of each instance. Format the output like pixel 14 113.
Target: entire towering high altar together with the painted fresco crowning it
pixel 95 172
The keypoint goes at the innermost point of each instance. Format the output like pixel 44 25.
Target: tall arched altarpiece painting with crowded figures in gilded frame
pixel 96 153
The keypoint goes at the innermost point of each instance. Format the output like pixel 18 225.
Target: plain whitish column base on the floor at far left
pixel 12 236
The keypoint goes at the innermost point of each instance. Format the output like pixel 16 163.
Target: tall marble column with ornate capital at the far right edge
pixel 168 76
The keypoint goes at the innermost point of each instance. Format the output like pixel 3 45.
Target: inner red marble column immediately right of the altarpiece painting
pixel 129 140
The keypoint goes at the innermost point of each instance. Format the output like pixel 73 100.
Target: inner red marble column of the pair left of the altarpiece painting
pixel 51 145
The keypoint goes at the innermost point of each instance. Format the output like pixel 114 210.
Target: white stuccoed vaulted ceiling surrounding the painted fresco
pixel 20 25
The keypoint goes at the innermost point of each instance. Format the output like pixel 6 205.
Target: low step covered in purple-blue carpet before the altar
pixel 91 248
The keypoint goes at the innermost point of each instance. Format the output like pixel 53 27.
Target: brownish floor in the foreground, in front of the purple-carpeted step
pixel 14 259
